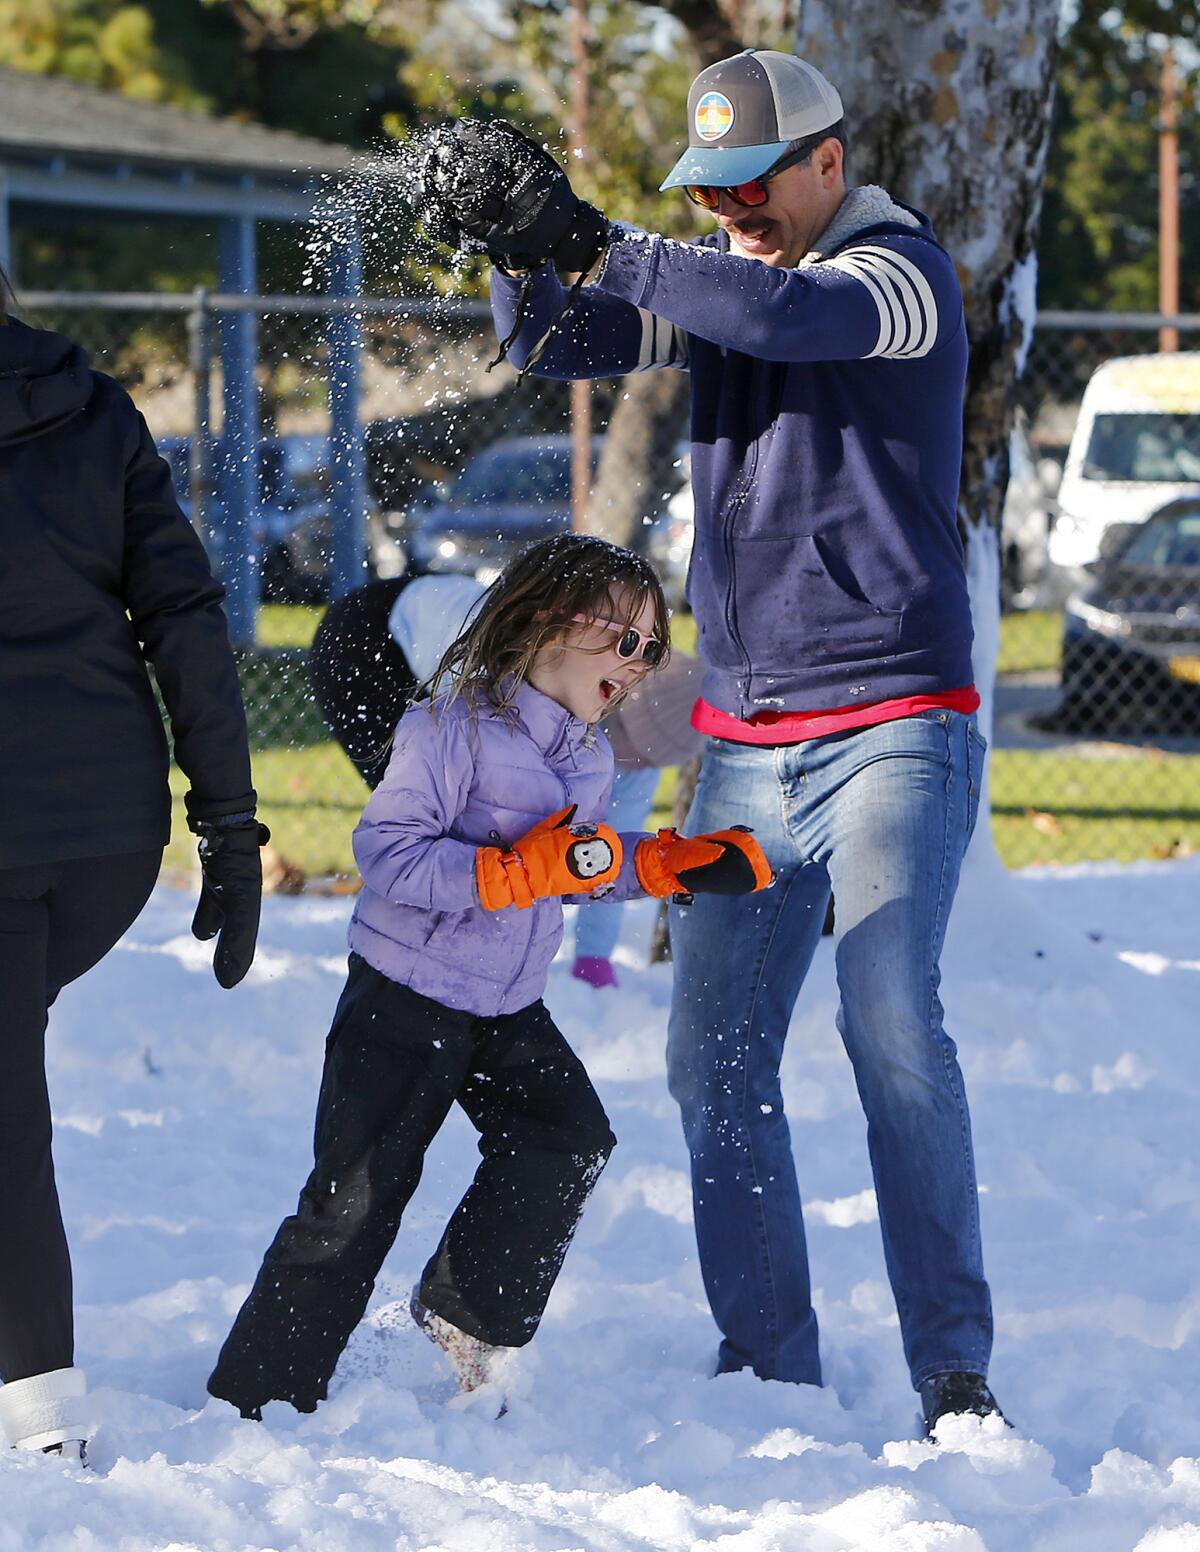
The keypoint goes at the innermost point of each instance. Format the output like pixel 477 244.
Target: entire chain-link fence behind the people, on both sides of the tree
pixel 1097 750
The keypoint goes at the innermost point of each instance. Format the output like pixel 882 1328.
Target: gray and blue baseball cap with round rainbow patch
pixel 744 113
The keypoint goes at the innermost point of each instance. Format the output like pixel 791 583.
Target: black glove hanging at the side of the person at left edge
pixel 232 892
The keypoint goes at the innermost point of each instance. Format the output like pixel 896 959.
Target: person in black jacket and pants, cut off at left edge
pixel 100 573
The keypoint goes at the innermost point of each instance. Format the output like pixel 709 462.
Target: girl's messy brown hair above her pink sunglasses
pixel 544 595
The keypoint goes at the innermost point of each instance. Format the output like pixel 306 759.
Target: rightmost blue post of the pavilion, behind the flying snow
pixel 347 460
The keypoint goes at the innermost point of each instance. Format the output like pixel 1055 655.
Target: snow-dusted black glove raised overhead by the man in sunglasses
pixel 490 189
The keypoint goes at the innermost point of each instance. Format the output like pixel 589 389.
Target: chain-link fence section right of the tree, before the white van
pixel 1097 750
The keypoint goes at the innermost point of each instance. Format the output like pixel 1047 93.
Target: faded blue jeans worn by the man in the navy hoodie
pixel 884 816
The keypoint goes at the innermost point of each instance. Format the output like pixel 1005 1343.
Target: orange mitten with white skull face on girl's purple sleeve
pixel 557 857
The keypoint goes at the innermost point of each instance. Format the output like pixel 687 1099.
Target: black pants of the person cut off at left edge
pixel 57 921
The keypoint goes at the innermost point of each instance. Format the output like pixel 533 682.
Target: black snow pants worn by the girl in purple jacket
pixel 395 1065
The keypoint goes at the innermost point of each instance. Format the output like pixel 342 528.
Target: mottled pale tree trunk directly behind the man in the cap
pixel 948 106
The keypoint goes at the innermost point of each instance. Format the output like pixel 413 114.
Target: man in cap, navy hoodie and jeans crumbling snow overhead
pixel 824 333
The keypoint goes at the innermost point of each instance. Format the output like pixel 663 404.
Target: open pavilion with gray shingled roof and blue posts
pixel 80 150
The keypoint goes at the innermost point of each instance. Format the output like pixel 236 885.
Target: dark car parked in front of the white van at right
pixel 1131 651
